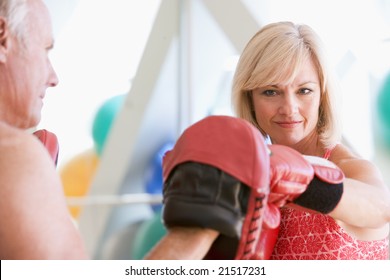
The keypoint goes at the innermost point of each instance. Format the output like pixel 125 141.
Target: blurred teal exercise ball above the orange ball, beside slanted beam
pixel 104 119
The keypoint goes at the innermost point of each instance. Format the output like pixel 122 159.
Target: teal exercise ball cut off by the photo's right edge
pixel 384 109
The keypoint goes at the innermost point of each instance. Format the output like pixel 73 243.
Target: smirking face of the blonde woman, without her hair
pixel 288 113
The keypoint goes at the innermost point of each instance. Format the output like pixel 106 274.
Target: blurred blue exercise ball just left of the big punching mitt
pixel 153 176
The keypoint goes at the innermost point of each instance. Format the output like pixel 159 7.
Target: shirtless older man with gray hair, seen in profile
pixel 33 212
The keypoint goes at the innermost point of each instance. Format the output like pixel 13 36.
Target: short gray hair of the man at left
pixel 15 11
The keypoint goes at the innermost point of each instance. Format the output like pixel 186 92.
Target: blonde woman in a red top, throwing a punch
pixel 282 86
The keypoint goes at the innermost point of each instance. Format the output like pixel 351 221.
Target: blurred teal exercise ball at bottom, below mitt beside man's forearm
pixel 148 235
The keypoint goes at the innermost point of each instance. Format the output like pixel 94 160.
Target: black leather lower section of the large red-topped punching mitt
pixel 200 195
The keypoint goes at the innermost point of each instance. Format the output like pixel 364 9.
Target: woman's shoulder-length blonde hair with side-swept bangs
pixel 275 54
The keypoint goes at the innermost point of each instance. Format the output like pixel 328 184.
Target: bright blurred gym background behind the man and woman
pixel 134 74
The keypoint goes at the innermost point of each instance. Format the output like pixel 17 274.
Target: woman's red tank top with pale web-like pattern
pixel 315 236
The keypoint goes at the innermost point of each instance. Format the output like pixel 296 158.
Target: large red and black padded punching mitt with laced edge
pixel 234 206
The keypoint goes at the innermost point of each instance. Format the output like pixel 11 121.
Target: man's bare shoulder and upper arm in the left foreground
pixel 32 203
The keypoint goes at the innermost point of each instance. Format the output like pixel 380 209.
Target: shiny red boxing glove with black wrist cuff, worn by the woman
pixel 311 182
